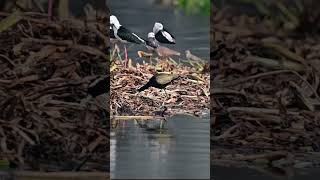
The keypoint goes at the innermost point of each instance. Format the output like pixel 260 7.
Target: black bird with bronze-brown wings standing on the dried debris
pixel 159 81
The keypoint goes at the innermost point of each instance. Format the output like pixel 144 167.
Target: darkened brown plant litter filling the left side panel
pixel 46 69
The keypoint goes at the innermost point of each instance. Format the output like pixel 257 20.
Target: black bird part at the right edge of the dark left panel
pixel 99 86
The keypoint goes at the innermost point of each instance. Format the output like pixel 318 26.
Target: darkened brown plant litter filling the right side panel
pixel 265 95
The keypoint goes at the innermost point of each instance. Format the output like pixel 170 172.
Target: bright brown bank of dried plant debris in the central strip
pixel 187 94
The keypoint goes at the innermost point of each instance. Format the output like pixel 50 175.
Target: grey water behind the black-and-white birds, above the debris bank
pixel 191 32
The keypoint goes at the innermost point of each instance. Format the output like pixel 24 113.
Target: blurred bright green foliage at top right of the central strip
pixel 195 6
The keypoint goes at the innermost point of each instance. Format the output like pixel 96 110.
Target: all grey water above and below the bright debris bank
pixel 137 153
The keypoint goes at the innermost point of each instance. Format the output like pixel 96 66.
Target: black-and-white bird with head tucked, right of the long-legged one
pixel 162 35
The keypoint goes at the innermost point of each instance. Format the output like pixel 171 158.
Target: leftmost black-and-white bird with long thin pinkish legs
pixel 124 35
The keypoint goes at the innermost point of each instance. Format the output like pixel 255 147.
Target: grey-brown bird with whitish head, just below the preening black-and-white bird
pixel 153 45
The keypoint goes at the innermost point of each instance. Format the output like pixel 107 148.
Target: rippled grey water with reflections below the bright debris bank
pixel 182 152
